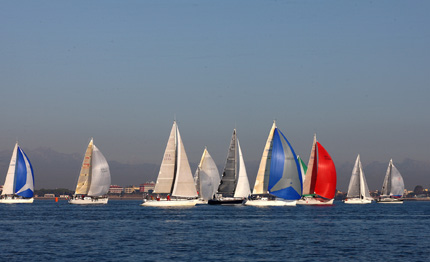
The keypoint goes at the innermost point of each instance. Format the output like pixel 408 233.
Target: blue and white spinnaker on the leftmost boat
pixel 24 179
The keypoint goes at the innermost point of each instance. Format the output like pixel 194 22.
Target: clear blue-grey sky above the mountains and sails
pixel 356 73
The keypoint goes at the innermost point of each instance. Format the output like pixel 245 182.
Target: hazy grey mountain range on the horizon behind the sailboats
pixel 58 170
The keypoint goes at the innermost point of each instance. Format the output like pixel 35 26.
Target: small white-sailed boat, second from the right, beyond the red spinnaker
pixel 358 191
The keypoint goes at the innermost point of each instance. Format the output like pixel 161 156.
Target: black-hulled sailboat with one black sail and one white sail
pixel 234 185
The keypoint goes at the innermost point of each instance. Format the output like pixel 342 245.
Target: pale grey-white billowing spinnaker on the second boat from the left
pixel 100 174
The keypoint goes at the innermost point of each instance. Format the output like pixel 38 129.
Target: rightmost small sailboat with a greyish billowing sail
pixel 393 186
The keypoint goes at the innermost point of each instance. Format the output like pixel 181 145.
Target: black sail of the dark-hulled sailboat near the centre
pixel 228 180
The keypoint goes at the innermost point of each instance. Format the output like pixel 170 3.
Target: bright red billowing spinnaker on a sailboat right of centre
pixel 326 181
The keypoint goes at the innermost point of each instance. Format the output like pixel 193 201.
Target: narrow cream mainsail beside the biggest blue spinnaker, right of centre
pixel 262 180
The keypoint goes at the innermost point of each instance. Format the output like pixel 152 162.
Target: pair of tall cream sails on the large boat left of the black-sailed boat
pixel 175 175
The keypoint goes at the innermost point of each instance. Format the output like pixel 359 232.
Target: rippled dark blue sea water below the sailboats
pixel 125 231
